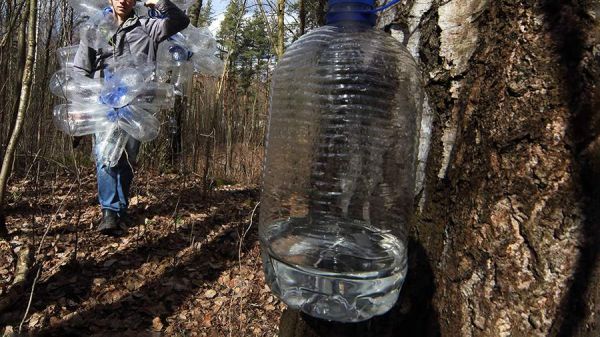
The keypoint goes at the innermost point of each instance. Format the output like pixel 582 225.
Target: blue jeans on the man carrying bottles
pixel 114 182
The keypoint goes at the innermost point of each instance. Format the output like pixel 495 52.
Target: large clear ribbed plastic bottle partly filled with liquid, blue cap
pixel 340 168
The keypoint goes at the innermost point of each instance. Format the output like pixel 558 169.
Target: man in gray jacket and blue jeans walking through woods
pixel 136 37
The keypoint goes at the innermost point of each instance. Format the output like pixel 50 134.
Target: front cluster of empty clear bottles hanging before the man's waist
pixel 123 104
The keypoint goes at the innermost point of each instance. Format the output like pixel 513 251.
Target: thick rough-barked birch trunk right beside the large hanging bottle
pixel 506 240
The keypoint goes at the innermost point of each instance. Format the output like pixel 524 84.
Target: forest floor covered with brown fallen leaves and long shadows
pixel 190 266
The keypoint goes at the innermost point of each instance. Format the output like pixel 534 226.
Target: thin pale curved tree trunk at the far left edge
pixel 23 103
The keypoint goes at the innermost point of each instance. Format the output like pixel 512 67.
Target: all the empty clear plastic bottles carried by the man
pixel 126 101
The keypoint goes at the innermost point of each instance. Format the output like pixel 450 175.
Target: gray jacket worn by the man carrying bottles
pixel 137 36
